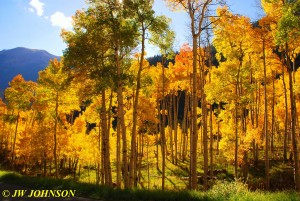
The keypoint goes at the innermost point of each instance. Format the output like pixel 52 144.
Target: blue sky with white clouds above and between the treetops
pixel 37 24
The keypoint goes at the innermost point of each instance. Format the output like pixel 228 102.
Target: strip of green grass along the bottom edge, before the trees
pixel 221 191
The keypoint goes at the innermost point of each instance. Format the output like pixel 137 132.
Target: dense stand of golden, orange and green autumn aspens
pixel 234 96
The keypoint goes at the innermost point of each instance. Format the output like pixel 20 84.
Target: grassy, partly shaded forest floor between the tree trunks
pixel 177 175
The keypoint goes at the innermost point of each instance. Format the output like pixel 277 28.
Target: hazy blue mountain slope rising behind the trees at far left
pixel 20 60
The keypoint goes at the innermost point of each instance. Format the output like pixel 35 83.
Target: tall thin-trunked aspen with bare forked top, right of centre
pixel 197 11
